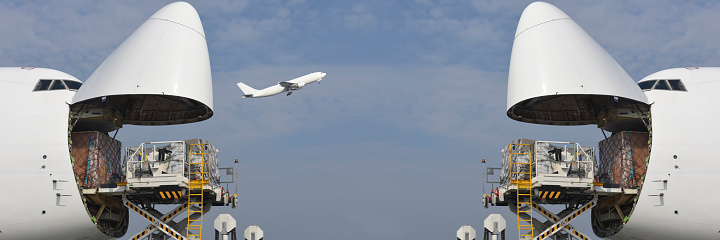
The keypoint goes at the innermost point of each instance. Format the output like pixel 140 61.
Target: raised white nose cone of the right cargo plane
pixel 559 75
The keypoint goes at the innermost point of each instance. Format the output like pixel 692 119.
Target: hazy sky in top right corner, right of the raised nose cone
pixel 649 36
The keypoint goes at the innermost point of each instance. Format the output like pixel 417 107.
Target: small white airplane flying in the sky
pixel 286 86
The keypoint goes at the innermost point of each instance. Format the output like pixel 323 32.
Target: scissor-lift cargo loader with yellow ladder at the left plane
pixel 182 173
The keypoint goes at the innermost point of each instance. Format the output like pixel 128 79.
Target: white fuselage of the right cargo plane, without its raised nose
pixel 684 139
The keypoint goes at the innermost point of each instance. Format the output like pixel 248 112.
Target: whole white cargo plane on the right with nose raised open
pixel 559 75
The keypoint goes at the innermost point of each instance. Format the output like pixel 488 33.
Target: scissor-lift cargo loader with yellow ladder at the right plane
pixel 563 176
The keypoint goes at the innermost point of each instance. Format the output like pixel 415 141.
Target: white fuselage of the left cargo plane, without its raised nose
pixel 38 190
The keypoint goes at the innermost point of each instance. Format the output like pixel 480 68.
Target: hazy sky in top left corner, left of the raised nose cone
pixel 52 33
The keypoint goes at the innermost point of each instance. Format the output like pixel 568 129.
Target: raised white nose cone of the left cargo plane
pixel 160 75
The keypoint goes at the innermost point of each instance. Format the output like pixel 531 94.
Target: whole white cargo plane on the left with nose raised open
pixel 160 75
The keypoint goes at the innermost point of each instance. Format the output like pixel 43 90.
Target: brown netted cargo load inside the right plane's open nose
pixel 623 159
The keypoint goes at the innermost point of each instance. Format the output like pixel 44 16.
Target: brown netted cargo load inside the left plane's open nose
pixel 96 158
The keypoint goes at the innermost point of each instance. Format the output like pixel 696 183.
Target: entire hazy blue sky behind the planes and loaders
pixel 389 145
